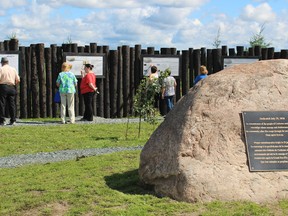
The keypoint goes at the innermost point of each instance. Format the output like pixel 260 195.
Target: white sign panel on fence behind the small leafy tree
pixel 162 62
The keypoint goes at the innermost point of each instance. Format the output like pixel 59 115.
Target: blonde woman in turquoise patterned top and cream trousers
pixel 67 82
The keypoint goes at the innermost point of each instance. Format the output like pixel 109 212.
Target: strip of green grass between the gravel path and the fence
pixel 33 139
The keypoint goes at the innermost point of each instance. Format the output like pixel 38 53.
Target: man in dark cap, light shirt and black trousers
pixel 8 80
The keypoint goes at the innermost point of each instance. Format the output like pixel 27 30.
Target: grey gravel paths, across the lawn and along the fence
pixel 49 157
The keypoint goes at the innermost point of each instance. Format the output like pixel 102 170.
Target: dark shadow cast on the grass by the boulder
pixel 128 183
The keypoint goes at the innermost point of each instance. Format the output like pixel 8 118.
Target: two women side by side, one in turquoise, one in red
pixel 67 83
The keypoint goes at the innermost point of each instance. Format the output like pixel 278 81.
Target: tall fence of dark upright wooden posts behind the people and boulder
pixel 41 65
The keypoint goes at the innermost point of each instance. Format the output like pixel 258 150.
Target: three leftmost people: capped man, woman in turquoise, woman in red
pixel 66 82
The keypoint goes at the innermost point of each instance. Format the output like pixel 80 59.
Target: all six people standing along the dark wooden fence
pixel 67 84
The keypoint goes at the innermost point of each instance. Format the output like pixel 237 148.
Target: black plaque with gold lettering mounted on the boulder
pixel 266 135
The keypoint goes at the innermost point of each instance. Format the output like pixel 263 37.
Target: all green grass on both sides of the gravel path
pixel 98 185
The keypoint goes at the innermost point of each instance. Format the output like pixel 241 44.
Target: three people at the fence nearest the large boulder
pixel 169 84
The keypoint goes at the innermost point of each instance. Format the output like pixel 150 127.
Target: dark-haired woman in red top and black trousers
pixel 88 89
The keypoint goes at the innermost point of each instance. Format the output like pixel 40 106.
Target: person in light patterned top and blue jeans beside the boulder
pixel 168 90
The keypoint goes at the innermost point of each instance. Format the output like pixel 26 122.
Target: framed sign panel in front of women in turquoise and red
pixel 78 61
